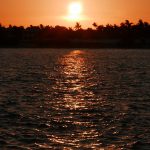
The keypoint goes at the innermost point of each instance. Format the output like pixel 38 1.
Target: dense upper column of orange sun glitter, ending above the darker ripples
pixel 76 72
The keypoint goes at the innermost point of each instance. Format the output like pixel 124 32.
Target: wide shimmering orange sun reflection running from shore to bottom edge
pixel 81 113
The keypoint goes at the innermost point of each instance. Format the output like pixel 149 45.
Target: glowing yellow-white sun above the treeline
pixel 75 10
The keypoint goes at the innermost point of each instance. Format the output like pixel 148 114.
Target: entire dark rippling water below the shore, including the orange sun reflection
pixel 74 99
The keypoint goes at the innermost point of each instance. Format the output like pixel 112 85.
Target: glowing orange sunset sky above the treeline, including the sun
pixel 60 12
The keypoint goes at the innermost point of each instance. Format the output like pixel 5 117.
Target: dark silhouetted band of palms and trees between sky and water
pixel 125 35
